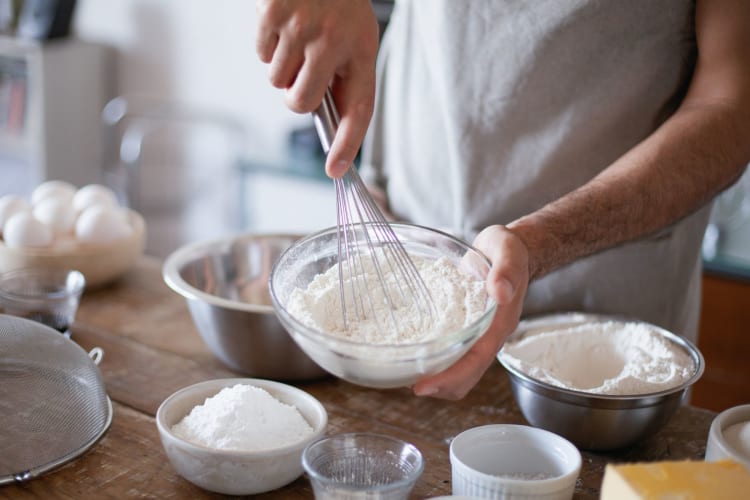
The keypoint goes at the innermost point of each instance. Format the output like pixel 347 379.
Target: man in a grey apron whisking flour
pixel 581 141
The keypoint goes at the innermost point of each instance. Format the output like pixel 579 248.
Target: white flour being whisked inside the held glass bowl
pixel 460 299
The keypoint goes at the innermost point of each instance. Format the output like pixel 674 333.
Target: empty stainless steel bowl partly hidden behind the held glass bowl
pixel 225 283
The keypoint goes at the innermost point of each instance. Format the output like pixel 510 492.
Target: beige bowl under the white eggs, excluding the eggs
pixel 99 263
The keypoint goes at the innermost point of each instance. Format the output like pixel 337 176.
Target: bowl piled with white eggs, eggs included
pixel 61 226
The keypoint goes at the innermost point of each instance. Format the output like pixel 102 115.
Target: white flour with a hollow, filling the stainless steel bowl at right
pixel 612 358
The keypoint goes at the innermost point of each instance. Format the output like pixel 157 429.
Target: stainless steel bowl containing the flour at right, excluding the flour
pixel 594 421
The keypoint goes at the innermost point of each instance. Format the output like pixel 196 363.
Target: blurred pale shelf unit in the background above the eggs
pixel 51 97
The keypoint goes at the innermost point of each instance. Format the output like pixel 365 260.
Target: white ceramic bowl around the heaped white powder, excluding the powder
pixel 234 472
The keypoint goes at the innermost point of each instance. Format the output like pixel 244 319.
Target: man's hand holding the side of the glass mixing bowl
pixel 507 282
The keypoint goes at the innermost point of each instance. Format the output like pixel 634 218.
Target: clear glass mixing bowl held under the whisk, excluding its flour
pixel 380 366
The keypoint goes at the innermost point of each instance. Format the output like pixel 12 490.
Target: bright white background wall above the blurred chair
pixel 201 52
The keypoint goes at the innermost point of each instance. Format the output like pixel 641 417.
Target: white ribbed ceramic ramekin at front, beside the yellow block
pixel 513 461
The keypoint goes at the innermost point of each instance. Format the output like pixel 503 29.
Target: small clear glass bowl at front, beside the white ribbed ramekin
pixel 362 465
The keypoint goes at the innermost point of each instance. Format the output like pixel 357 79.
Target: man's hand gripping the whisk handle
pixel 313 45
